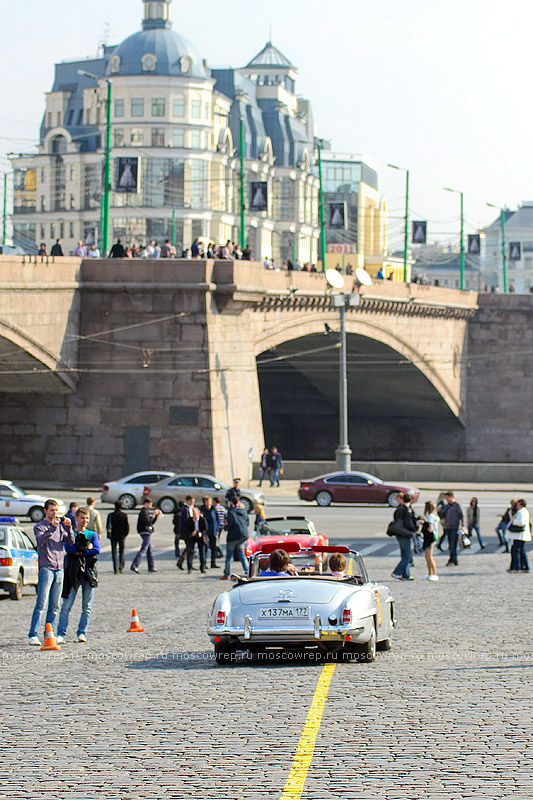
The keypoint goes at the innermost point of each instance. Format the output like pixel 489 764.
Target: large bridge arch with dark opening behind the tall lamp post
pixel 399 403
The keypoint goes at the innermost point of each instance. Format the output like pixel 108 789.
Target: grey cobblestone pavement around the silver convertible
pixel 446 714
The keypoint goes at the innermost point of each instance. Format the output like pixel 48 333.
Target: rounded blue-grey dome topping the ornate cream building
pixel 174 55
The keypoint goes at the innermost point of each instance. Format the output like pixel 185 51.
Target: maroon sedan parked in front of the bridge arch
pixel 352 487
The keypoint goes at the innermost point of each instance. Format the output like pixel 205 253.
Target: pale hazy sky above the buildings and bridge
pixel 440 88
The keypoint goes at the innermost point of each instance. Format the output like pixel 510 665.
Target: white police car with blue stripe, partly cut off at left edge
pixel 18 558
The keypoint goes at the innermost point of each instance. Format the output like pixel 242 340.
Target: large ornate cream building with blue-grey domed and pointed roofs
pixel 176 127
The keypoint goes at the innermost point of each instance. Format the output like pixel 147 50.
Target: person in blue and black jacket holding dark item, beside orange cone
pixel 80 570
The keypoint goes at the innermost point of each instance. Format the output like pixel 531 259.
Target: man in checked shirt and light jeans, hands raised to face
pixel 51 534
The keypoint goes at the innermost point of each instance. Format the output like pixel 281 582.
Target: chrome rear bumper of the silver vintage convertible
pixel 282 635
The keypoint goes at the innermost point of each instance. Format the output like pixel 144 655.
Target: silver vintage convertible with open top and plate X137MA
pixel 328 612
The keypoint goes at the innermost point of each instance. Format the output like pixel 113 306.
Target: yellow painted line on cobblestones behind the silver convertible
pixel 306 746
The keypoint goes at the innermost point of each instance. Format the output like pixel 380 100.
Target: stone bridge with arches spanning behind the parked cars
pixel 108 366
